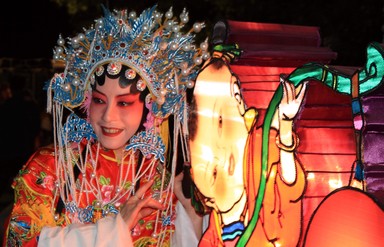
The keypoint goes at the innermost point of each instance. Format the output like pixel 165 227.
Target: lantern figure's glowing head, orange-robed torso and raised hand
pixel 226 163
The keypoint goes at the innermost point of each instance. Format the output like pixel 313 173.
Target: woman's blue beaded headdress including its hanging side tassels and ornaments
pixel 150 45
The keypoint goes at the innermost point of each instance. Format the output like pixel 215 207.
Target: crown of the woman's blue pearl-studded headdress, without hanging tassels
pixel 156 49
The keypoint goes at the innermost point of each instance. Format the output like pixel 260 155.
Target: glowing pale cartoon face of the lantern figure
pixel 218 139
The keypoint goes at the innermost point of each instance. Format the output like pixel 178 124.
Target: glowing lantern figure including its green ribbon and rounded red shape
pixel 253 183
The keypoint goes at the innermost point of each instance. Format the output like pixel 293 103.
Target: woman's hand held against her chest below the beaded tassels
pixel 137 207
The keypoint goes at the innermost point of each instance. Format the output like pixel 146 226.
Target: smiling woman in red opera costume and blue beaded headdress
pixel 119 113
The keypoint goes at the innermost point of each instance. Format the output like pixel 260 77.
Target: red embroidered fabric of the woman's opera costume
pixel 35 189
